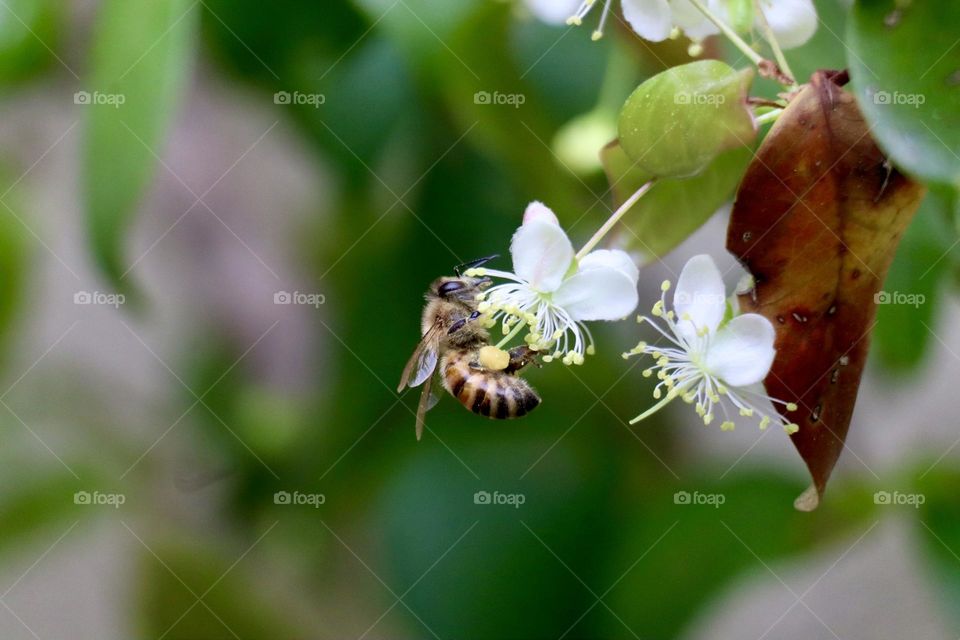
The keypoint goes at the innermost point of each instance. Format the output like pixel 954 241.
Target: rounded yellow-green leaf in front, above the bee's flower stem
pixel 674 124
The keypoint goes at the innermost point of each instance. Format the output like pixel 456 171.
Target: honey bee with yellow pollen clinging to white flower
pixel 452 338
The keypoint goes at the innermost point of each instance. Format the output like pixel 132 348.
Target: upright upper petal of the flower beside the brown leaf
pixel 700 299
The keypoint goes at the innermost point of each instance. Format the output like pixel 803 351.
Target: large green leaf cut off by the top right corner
pixel 910 101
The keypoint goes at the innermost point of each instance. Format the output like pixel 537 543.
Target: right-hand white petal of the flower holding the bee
pixel 598 293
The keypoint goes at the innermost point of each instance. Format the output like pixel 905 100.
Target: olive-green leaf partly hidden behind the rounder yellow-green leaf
pixel 674 208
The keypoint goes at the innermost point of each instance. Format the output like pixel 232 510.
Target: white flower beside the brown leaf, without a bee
pixel 708 359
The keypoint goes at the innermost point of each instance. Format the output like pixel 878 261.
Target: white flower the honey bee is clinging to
pixel 553 292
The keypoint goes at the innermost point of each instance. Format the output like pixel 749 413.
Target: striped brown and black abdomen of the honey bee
pixel 495 394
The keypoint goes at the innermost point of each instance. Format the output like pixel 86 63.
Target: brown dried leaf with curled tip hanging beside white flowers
pixel 817 220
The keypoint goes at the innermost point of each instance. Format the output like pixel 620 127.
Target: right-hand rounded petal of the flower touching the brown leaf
pixel 742 351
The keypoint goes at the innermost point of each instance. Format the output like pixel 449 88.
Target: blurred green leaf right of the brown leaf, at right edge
pixel 908 304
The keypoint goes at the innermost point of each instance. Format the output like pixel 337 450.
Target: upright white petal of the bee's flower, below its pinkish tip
pixel 542 254
